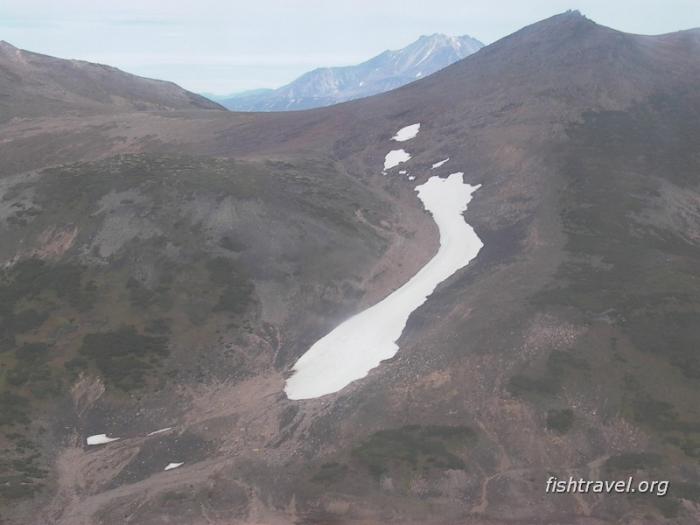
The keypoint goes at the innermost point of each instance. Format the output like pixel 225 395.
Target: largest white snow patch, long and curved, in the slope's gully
pixel 359 344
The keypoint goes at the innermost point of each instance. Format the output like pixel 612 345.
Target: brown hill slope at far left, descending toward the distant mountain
pixel 32 84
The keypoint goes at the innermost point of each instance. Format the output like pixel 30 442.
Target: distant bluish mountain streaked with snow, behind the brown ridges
pixel 384 72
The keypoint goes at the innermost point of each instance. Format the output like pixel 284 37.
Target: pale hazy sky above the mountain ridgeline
pixel 223 46
